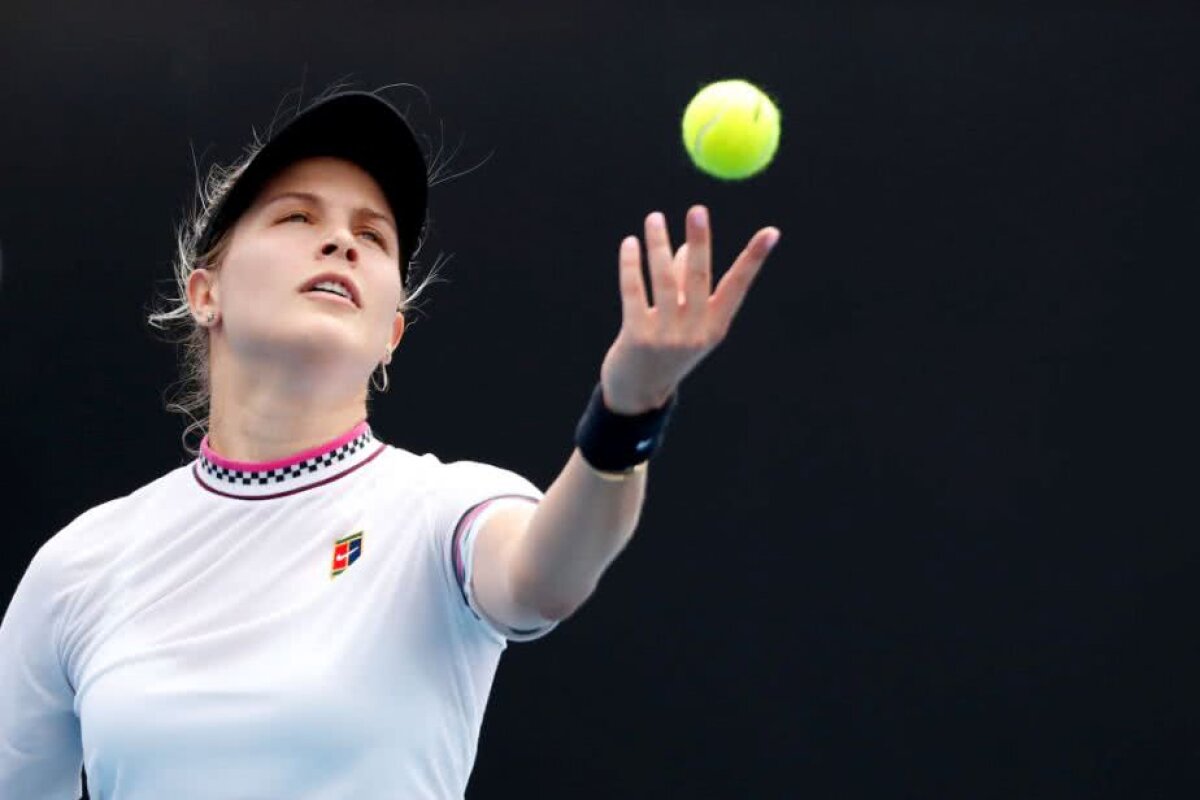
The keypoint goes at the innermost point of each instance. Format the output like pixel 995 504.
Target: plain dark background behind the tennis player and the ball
pixel 921 528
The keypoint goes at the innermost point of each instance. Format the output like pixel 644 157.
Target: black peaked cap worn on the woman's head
pixel 357 127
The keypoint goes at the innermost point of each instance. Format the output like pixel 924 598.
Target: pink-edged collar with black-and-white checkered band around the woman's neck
pixel 304 471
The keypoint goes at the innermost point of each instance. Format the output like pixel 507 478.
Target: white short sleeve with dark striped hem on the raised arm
pixel 471 494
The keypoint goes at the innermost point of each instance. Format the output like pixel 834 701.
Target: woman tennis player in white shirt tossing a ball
pixel 305 611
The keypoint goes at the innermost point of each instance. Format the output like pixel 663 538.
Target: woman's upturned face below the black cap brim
pixel 313 274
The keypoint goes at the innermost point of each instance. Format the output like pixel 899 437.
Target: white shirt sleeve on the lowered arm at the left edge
pixel 41 750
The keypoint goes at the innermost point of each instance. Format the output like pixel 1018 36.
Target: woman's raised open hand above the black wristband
pixel 661 344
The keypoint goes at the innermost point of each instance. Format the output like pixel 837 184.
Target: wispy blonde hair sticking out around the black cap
pixel 191 395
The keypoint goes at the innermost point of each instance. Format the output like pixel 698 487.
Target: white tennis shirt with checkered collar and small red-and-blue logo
pixel 303 630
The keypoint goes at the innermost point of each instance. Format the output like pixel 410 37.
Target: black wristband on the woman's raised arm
pixel 615 443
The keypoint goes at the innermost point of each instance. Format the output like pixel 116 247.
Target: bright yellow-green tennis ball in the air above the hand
pixel 731 130
